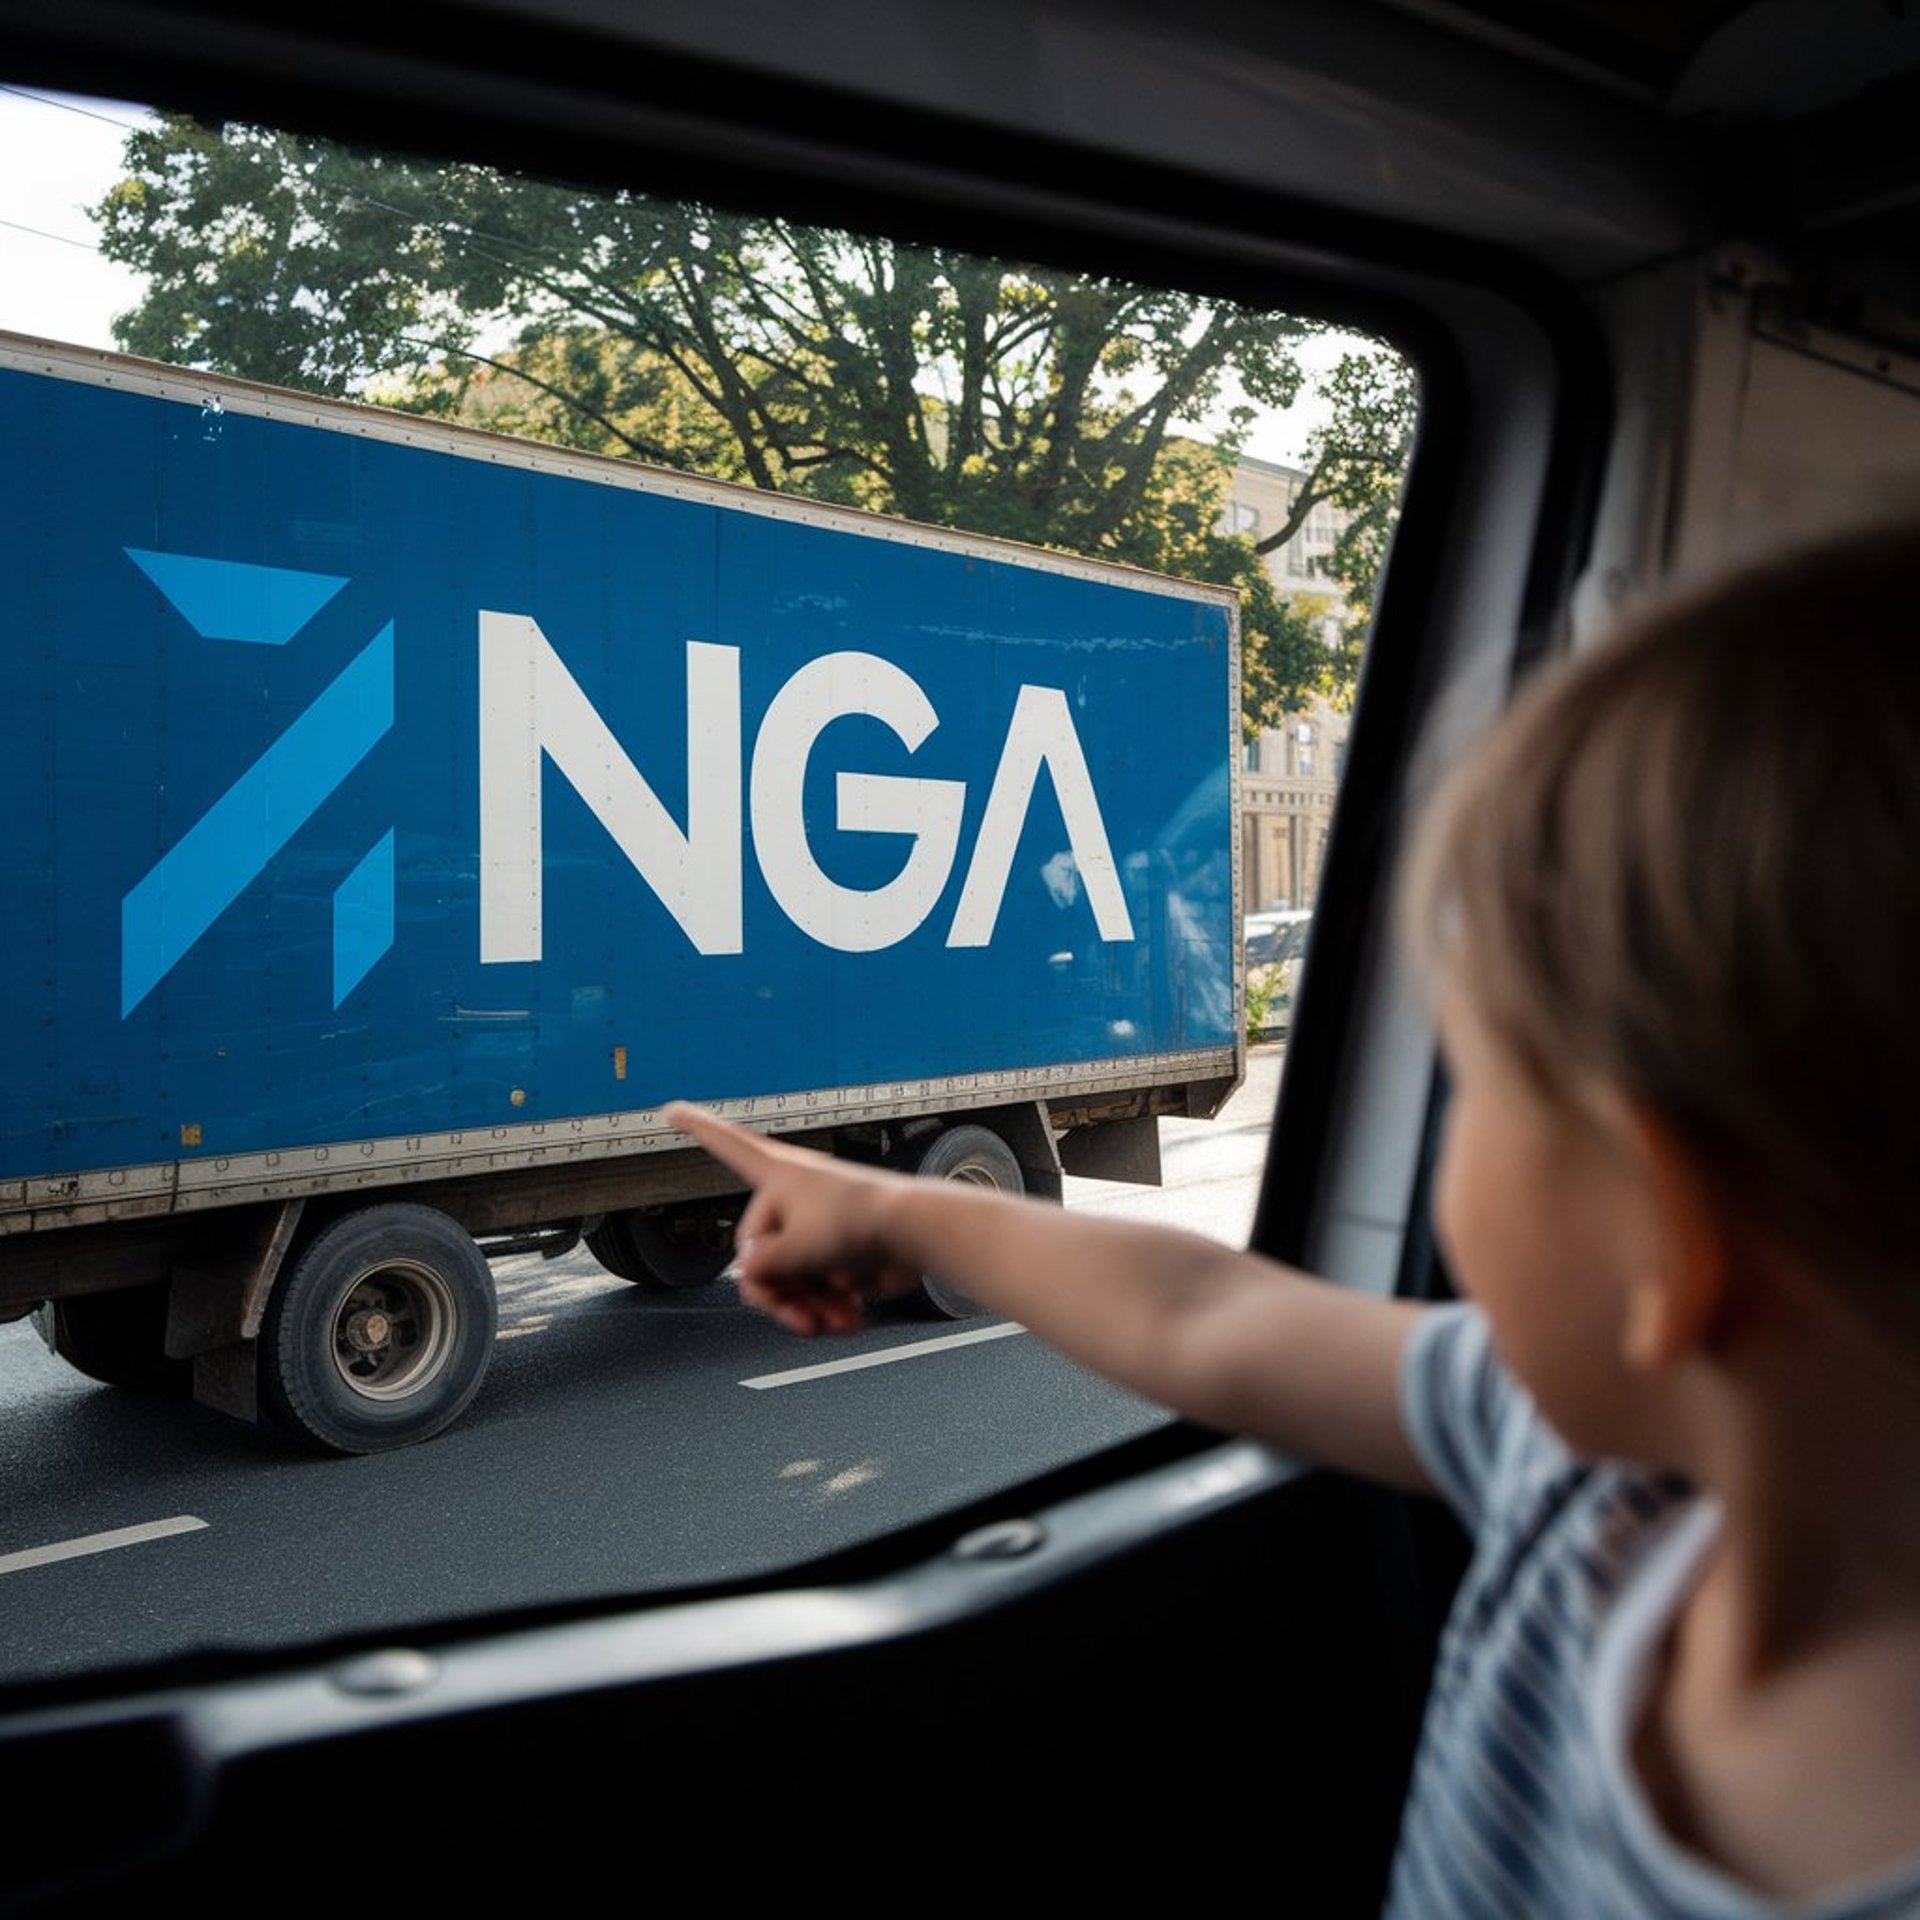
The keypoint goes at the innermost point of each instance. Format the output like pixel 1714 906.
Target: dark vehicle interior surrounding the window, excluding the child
pixel 1656 272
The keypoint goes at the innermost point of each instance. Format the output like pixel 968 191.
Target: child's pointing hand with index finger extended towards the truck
pixel 811 1245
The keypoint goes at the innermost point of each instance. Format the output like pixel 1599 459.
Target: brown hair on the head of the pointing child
pixel 1687 869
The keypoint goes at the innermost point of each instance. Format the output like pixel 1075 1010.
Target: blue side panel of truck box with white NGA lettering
pixel 375 784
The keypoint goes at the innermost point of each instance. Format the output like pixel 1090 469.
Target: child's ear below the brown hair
pixel 1677 1289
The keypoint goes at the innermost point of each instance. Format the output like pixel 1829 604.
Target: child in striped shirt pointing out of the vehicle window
pixel 1671 924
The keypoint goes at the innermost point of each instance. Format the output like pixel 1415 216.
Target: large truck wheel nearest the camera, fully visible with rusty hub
pixel 379 1333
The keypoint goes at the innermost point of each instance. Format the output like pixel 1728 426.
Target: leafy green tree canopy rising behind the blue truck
pixel 1022 402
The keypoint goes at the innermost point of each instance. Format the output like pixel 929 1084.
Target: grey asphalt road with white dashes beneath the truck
pixel 625 1443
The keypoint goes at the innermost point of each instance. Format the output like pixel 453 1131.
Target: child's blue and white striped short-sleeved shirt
pixel 1524 1802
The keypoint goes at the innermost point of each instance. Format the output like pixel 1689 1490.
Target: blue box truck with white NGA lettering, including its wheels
pixel 402 815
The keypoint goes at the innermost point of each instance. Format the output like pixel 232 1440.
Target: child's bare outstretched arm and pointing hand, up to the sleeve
pixel 1224 1337
